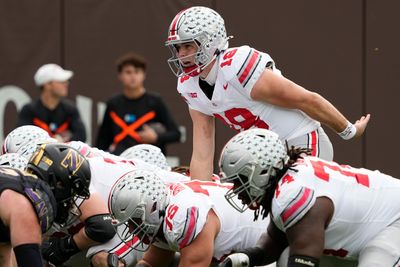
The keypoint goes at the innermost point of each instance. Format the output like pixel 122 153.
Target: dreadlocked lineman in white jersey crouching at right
pixel 316 207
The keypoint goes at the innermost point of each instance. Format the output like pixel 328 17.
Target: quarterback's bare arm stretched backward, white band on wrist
pixel 279 91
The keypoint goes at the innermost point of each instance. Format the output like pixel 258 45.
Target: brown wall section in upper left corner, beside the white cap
pixel 29 38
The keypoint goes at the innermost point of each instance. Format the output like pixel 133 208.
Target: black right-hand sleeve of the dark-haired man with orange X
pixel 172 133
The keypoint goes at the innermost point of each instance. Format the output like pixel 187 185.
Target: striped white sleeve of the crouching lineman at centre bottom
pixel 186 223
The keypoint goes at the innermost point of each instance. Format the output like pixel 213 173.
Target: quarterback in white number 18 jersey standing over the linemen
pixel 242 87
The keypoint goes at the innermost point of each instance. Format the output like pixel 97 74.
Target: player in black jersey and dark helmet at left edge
pixel 31 200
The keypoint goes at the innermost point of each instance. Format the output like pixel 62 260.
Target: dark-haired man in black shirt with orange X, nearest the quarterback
pixel 136 116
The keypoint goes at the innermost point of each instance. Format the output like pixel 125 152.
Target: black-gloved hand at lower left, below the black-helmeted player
pixel 58 250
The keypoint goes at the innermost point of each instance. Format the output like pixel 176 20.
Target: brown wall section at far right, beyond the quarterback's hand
pixel 382 85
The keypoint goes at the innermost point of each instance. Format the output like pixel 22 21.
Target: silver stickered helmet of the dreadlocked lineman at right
pixel 248 161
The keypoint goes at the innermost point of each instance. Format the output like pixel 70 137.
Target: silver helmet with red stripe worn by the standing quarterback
pixel 200 25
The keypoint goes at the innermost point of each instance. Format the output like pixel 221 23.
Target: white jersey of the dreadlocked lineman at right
pixel 365 202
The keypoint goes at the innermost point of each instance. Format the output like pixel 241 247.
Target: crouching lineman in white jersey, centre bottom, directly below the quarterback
pixel 192 218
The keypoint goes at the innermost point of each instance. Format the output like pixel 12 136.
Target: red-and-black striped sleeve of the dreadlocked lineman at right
pixel 290 203
